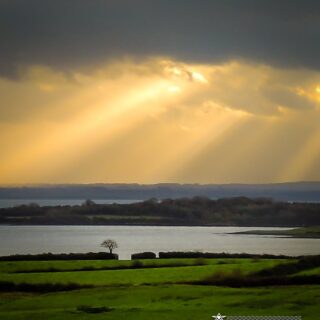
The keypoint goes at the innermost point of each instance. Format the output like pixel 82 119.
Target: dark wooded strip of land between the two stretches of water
pixel 200 211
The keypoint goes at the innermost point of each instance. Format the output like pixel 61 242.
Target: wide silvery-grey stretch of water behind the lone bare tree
pixel 132 239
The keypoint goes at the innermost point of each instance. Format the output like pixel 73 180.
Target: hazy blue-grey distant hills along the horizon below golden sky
pixel 295 191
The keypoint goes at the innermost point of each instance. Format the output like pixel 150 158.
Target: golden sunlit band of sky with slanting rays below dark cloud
pixel 161 120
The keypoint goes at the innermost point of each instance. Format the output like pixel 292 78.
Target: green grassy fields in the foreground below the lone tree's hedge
pixel 150 289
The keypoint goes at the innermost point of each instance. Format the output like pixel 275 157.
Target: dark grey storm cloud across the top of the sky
pixel 67 34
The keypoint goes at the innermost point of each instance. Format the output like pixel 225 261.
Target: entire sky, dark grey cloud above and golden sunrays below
pixel 149 91
